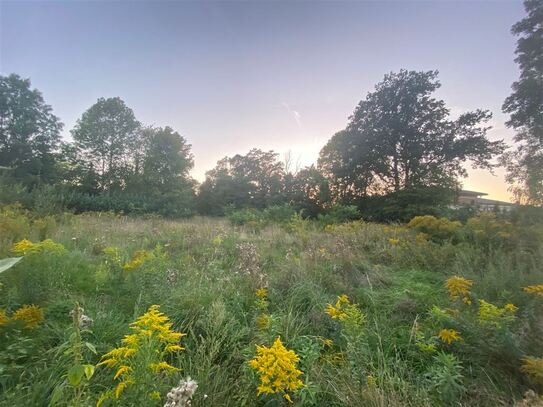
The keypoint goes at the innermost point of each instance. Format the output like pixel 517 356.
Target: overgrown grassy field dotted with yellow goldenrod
pixel 427 314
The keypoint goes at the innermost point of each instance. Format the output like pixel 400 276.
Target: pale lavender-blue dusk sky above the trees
pixel 281 75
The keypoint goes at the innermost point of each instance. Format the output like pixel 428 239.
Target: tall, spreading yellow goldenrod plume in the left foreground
pixel 151 340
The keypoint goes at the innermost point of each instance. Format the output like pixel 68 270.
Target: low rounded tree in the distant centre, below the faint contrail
pixel 253 180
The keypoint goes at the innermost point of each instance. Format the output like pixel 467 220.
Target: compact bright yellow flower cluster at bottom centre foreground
pixel 277 368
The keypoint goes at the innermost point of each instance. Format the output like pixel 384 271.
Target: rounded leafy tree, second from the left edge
pixel 107 136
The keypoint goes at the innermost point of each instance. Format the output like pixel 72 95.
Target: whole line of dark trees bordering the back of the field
pixel 401 153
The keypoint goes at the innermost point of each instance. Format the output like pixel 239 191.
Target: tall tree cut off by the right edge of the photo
pixel 525 105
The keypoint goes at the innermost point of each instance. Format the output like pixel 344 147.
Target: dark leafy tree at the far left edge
pixel 29 132
